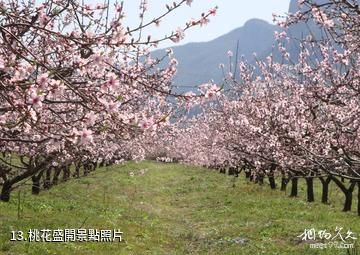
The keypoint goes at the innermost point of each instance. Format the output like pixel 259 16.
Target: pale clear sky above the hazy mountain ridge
pixel 230 15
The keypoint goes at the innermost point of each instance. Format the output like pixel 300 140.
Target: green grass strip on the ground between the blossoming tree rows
pixel 172 209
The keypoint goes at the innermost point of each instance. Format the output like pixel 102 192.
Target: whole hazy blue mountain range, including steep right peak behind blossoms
pixel 199 62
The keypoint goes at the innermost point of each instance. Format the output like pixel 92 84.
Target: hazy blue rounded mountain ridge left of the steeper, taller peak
pixel 199 62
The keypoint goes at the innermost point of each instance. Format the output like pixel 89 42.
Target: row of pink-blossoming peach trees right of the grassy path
pixel 290 118
